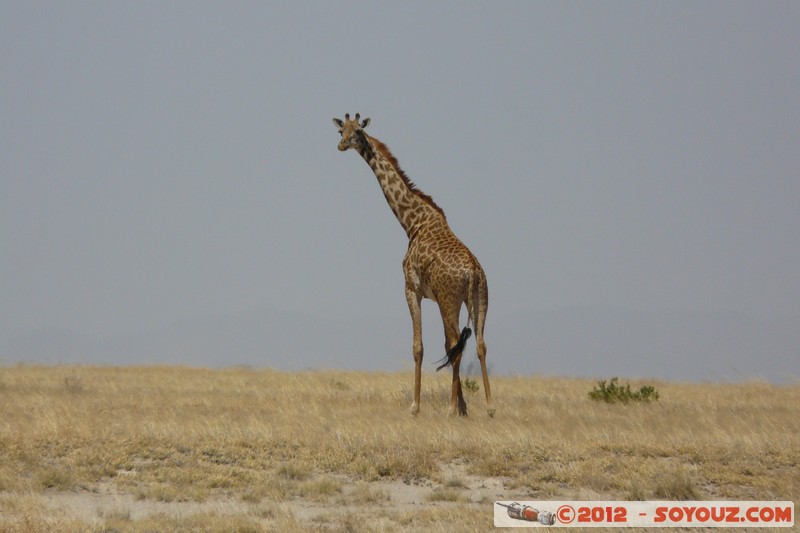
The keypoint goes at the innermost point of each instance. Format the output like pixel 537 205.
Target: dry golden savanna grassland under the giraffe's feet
pixel 185 449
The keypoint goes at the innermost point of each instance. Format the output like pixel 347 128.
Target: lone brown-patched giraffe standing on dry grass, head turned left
pixel 436 266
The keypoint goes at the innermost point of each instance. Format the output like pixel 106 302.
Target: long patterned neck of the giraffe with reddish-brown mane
pixel 412 207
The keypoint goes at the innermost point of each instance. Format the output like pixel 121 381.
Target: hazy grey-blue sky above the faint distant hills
pixel 167 160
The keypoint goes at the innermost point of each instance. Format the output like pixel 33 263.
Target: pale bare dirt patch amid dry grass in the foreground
pixel 390 501
